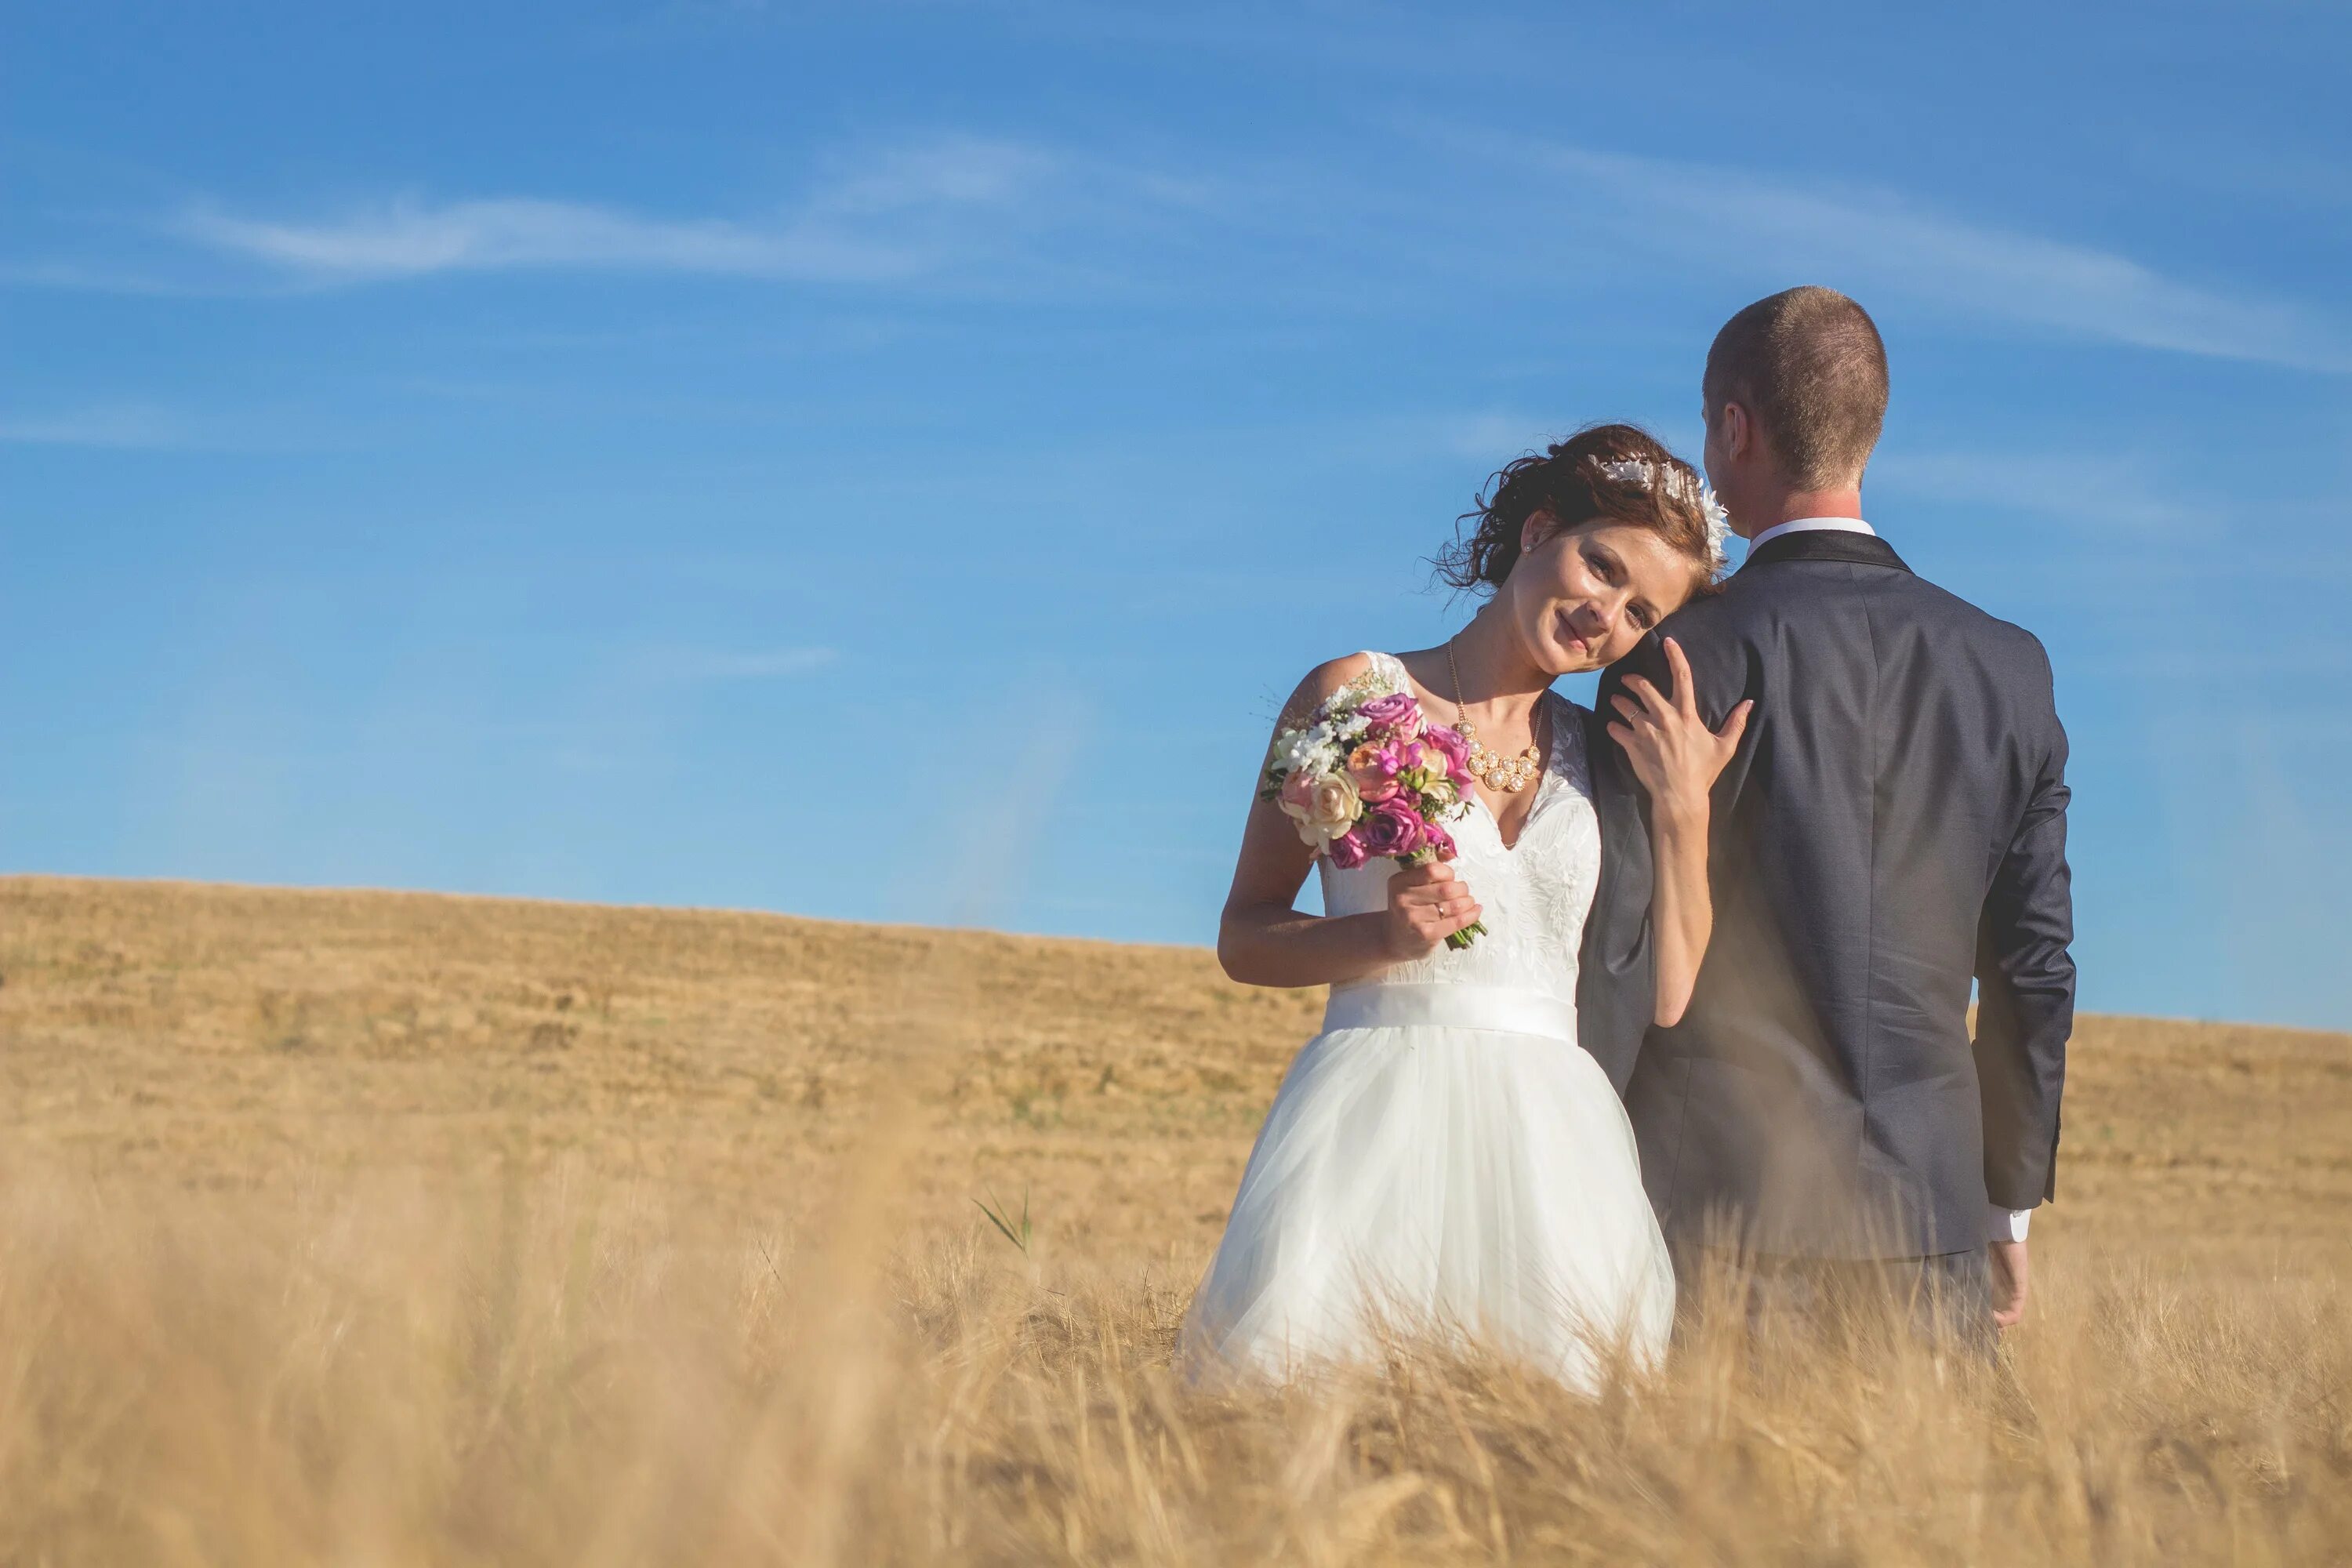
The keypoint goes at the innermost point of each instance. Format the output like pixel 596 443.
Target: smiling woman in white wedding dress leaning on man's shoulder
pixel 1445 1158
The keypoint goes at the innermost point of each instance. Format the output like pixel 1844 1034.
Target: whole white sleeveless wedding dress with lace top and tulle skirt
pixel 1445 1158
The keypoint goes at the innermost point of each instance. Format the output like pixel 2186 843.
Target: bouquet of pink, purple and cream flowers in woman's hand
pixel 1372 777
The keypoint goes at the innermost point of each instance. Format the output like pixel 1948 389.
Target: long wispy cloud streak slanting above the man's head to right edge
pixel 1883 243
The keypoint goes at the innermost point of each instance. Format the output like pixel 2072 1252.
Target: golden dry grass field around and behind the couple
pixel 387 1228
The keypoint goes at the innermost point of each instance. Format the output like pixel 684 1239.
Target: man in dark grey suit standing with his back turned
pixel 1890 831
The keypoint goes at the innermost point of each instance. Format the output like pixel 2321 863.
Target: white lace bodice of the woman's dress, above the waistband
pixel 1535 894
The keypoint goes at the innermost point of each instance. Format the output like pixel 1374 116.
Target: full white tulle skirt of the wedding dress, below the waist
pixel 1436 1181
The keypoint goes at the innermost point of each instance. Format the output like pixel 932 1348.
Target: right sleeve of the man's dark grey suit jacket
pixel 2026 993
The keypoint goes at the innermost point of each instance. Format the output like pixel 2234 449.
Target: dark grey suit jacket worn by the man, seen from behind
pixel 1892 826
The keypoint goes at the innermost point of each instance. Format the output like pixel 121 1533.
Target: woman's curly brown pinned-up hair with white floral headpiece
pixel 1603 474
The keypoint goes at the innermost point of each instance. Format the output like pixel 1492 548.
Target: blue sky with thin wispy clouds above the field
pixel 888 462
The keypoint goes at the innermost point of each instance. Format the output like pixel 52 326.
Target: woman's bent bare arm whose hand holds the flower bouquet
pixel 1264 942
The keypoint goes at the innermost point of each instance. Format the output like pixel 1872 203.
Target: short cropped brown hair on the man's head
pixel 1812 370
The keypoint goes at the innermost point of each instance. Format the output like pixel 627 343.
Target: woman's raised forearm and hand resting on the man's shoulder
pixel 1676 758
